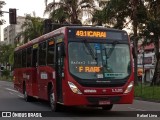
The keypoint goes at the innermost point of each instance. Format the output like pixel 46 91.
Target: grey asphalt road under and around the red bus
pixel 12 101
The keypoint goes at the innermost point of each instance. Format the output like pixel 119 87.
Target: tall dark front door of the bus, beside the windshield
pixel 59 72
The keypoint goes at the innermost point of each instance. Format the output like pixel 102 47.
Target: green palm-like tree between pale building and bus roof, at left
pixel 32 28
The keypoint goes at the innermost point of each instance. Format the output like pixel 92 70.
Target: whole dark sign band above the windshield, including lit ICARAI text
pixel 99 34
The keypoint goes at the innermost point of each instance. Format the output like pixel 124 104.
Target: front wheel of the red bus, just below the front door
pixel 52 100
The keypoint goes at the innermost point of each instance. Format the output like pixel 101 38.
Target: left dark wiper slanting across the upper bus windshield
pixel 87 45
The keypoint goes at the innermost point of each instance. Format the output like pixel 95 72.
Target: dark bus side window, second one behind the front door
pixel 42 53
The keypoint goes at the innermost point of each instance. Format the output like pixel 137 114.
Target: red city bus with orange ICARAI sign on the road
pixel 75 66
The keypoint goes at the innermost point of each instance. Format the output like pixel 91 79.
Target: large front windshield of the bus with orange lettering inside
pixel 99 60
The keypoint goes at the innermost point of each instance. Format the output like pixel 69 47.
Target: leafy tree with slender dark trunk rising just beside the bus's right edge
pixel 120 13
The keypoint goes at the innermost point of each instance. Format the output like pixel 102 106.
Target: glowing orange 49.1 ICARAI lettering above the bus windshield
pixel 90 33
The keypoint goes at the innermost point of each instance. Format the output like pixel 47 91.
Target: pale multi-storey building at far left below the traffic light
pixel 10 32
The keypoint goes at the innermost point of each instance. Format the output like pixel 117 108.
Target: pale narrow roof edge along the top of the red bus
pixel 62 30
